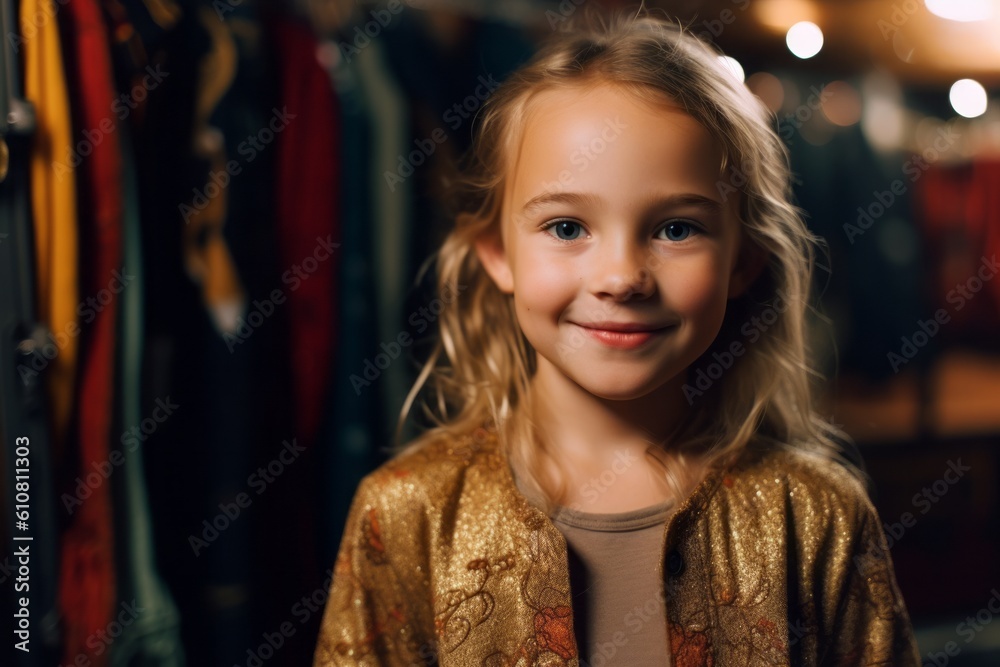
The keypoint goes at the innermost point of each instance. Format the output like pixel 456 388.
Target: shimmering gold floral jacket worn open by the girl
pixel 778 561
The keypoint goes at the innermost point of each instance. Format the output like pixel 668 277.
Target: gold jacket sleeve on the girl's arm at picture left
pixel 370 616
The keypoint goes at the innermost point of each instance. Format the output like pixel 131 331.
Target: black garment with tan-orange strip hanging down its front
pixel 200 129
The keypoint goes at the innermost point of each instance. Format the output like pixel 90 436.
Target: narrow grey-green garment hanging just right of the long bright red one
pixel 153 638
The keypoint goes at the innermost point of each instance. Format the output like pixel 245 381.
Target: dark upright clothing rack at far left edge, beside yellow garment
pixel 22 400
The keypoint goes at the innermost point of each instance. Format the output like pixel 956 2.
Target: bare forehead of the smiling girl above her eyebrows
pixel 606 140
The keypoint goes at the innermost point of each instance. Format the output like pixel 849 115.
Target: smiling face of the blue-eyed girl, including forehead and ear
pixel 615 240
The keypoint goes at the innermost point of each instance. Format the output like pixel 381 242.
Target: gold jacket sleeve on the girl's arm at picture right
pixel 872 626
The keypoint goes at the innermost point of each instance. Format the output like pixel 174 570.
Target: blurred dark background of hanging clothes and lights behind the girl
pixel 212 218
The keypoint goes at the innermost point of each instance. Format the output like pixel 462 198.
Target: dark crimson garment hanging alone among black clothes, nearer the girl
pixel 307 210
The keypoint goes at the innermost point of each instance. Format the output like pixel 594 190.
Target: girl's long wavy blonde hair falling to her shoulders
pixel 478 373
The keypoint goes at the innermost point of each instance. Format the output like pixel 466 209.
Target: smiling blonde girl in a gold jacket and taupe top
pixel 627 468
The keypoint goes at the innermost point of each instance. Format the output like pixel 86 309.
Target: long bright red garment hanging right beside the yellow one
pixel 87 582
